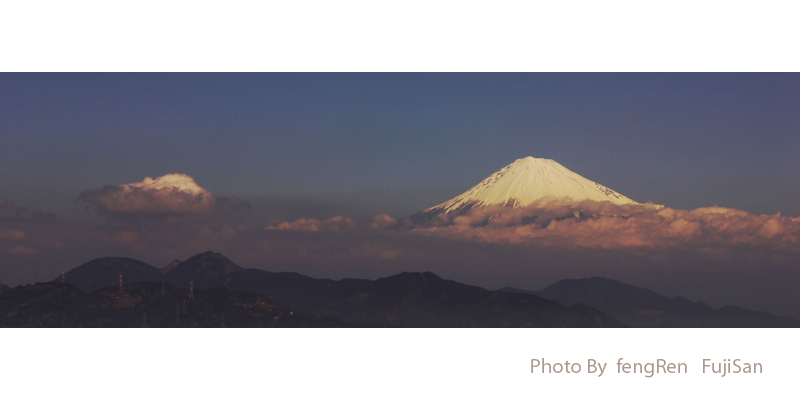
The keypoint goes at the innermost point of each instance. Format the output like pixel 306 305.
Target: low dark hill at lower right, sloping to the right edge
pixel 645 308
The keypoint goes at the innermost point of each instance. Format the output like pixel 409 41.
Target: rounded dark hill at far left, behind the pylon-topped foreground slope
pixel 103 272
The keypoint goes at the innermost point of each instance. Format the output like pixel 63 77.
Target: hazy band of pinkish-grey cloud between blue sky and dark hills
pixel 715 254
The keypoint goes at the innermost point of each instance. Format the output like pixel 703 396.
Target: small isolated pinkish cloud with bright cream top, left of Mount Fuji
pixel 168 194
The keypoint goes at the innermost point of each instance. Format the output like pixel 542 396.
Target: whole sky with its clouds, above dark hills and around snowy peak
pixel 311 151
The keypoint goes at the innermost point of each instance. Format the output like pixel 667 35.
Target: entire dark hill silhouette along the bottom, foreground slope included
pixel 209 290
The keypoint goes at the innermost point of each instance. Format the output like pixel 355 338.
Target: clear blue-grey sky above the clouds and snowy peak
pixel 360 144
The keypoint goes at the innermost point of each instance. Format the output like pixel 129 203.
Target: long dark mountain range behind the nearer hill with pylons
pixel 424 299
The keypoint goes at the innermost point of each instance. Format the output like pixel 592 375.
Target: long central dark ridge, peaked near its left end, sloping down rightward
pixel 409 299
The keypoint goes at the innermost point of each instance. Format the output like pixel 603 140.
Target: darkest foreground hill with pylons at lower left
pixel 147 304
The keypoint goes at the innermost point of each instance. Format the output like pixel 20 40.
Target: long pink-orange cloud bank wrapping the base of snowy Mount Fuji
pixel 604 225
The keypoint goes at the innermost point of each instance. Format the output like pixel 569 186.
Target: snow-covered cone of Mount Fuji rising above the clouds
pixel 524 182
